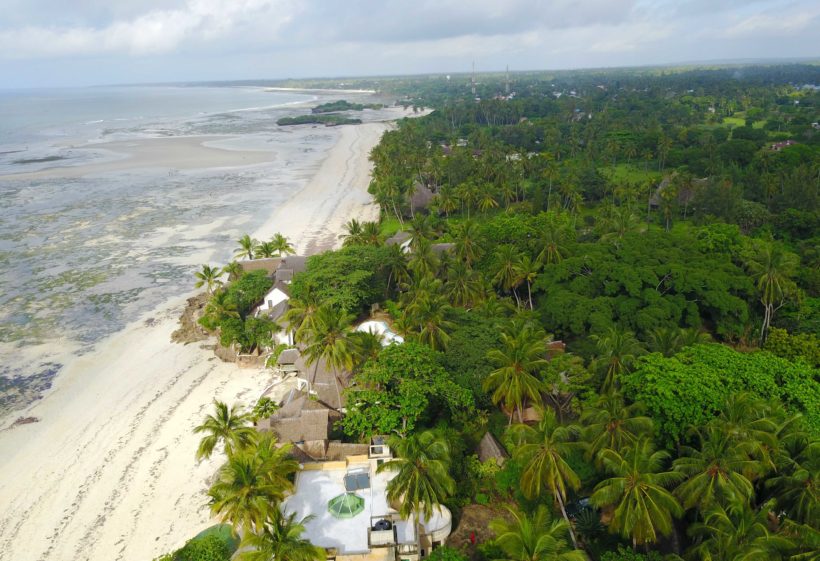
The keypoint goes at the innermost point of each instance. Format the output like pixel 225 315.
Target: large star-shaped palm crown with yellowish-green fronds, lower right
pixel 643 507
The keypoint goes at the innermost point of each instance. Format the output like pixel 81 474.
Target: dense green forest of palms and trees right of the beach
pixel 650 221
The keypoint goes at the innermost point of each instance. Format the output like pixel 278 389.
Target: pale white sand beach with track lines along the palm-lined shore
pixel 109 471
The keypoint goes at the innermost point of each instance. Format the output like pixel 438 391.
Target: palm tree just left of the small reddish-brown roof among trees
pixel 514 381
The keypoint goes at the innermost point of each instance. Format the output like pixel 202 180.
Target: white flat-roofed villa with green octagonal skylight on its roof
pixel 352 518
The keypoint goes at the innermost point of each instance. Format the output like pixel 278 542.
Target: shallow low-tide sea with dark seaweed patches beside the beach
pixel 82 257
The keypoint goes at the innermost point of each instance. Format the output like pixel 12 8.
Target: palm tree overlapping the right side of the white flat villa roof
pixel 422 481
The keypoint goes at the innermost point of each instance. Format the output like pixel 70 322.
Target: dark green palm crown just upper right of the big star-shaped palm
pixel 714 470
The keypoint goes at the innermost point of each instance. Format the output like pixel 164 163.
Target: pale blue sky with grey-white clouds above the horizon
pixel 45 43
